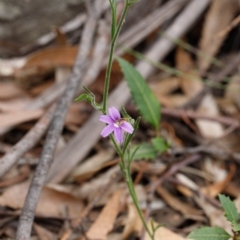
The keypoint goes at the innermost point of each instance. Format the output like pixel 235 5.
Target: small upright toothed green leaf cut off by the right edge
pixel 230 209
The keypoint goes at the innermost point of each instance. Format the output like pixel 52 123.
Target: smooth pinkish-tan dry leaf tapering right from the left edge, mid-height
pixel 13 118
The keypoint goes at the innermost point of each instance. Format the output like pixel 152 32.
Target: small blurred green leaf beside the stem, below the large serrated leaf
pixel 145 151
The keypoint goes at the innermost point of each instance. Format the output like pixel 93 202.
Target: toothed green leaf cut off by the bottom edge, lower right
pixel 209 233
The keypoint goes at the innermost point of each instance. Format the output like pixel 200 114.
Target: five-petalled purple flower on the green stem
pixel 116 124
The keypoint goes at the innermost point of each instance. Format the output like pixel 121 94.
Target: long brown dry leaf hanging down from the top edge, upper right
pixel 219 16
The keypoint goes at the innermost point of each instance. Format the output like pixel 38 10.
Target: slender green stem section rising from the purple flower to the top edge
pixel 110 60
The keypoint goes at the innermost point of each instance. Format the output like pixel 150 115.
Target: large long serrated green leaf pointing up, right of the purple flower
pixel 143 96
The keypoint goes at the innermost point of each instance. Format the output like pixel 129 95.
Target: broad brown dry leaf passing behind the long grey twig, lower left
pixel 51 202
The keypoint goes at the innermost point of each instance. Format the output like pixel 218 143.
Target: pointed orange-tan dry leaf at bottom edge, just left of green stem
pixel 105 221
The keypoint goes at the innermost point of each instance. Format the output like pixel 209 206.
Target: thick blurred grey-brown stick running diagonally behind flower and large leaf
pixel 90 133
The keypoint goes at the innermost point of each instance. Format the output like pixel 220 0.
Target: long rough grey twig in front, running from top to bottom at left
pixel 27 214
